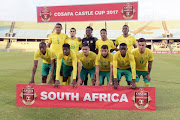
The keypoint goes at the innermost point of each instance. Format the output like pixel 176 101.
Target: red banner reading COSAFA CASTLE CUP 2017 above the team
pixel 93 12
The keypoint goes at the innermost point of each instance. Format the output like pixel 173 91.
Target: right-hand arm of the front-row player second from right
pixel 133 69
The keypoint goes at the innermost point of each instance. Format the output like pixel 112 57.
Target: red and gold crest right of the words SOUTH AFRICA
pixel 141 99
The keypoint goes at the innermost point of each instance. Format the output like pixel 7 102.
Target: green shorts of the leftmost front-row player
pixel 45 68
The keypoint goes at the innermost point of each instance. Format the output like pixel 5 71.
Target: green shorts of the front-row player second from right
pixel 126 72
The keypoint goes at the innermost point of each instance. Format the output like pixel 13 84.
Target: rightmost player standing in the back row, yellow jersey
pixel 126 38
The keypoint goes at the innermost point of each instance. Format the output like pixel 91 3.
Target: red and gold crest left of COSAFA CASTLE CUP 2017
pixel 45 14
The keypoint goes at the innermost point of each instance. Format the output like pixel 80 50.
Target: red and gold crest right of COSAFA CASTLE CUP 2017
pixel 128 11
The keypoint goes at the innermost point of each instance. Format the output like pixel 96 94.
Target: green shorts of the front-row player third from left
pixel 85 72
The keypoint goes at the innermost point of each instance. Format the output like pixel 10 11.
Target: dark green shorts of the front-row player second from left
pixel 66 70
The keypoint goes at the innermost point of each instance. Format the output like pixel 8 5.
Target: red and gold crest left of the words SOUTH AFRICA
pixel 28 95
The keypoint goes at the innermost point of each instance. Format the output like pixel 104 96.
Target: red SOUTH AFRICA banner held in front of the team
pixel 89 97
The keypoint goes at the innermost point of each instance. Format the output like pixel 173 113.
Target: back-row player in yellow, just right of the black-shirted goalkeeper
pixel 104 41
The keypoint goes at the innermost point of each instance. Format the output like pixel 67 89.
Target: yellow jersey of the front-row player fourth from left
pixel 104 63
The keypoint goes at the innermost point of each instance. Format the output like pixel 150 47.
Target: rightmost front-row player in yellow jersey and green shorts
pixel 144 58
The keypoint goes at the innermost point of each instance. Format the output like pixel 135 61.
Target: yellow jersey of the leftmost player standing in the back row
pixel 57 41
